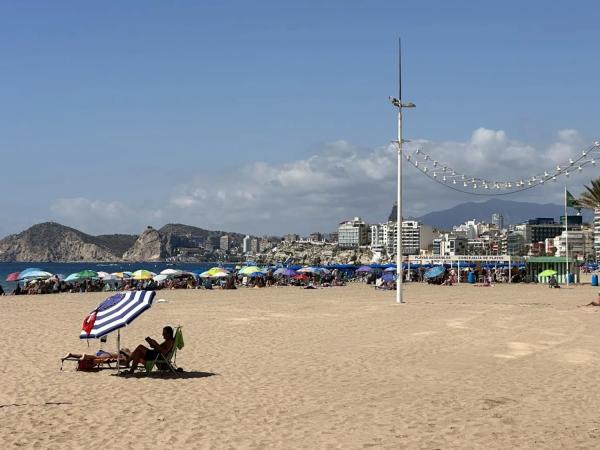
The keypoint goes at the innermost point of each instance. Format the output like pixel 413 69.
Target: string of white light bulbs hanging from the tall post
pixel 461 182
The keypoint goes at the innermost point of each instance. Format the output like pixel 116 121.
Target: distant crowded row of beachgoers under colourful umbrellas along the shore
pixel 36 281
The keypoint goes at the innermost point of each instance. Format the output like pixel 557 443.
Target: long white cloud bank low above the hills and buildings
pixel 339 181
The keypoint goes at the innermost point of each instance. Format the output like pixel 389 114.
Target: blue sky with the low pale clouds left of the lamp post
pixel 115 115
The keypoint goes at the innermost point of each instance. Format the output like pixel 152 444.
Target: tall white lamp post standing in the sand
pixel 397 102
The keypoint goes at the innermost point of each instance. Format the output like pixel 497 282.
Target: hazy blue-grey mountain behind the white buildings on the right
pixel 513 212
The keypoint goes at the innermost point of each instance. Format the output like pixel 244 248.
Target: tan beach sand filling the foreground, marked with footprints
pixel 455 367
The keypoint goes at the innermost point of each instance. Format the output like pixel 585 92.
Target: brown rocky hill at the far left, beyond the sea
pixel 53 242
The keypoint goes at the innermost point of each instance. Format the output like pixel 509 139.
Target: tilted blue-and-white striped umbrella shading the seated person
pixel 118 311
